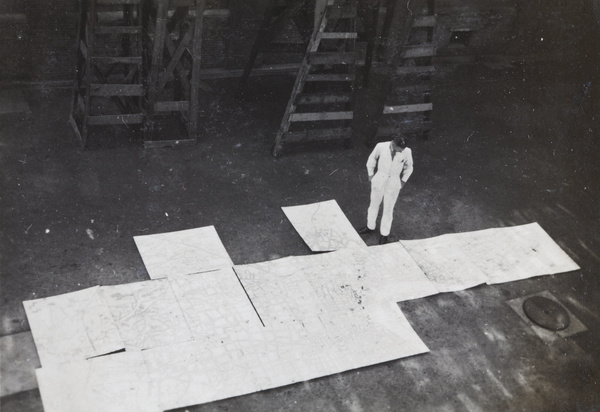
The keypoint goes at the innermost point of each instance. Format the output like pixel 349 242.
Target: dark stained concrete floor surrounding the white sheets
pixel 512 144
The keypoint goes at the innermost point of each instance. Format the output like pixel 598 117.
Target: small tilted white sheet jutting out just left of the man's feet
pixel 323 226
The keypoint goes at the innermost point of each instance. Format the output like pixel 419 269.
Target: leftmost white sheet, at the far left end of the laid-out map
pixel 72 326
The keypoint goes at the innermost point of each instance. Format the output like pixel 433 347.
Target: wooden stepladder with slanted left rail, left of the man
pixel 320 107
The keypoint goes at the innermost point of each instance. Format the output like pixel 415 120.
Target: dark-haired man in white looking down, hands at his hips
pixel 394 164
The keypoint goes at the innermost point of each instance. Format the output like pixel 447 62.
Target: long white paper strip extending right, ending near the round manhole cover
pixel 462 260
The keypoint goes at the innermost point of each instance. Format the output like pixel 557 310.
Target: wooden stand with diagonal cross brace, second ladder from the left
pixel 175 33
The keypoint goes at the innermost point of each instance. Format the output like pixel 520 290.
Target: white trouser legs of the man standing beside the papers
pixel 383 189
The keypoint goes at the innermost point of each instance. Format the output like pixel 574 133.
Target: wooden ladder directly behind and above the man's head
pixel 408 107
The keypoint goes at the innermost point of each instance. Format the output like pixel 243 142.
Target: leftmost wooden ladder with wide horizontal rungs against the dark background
pixel 108 88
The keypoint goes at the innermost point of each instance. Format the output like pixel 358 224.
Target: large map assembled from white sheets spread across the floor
pixel 209 330
